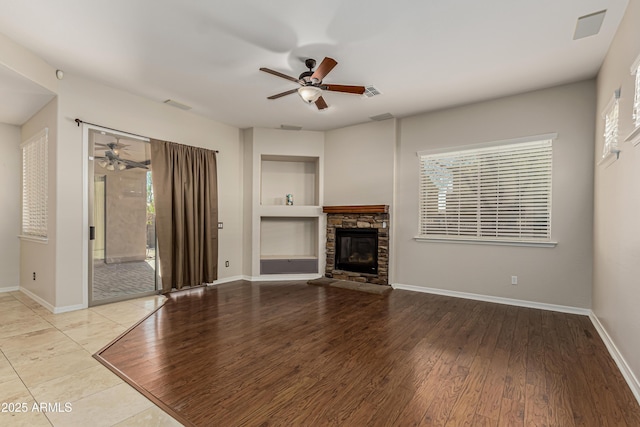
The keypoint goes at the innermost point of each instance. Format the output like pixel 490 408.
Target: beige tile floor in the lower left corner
pixel 46 359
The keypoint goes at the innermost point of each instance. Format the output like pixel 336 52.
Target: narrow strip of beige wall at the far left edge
pixel 10 166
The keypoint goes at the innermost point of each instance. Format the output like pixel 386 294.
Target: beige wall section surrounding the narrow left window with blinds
pixel 36 256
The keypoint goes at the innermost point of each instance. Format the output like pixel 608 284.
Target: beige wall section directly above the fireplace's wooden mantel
pixel 359 164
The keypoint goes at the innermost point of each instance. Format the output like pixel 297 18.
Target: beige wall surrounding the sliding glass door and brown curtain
pixel 96 103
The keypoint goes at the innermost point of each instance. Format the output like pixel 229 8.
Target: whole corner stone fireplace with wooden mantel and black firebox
pixel 358 243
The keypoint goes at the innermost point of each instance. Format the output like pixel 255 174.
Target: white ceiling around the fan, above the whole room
pixel 422 55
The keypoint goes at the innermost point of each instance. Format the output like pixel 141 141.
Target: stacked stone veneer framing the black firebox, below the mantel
pixel 379 221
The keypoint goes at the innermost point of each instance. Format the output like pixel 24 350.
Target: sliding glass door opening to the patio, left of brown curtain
pixel 122 242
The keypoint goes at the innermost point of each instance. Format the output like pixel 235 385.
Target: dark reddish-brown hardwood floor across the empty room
pixel 288 353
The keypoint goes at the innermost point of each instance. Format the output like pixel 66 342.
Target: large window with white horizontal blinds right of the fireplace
pixel 497 193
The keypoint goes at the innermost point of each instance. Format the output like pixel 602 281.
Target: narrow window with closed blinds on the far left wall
pixel 35 186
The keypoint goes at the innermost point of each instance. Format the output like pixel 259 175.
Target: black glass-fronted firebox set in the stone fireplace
pixel 357 250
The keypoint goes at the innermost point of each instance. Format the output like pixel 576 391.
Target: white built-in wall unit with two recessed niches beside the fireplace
pixel 284 239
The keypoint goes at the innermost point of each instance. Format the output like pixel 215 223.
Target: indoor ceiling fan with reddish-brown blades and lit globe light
pixel 311 85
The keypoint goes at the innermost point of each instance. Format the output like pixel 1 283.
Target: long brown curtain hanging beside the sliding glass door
pixel 186 197
